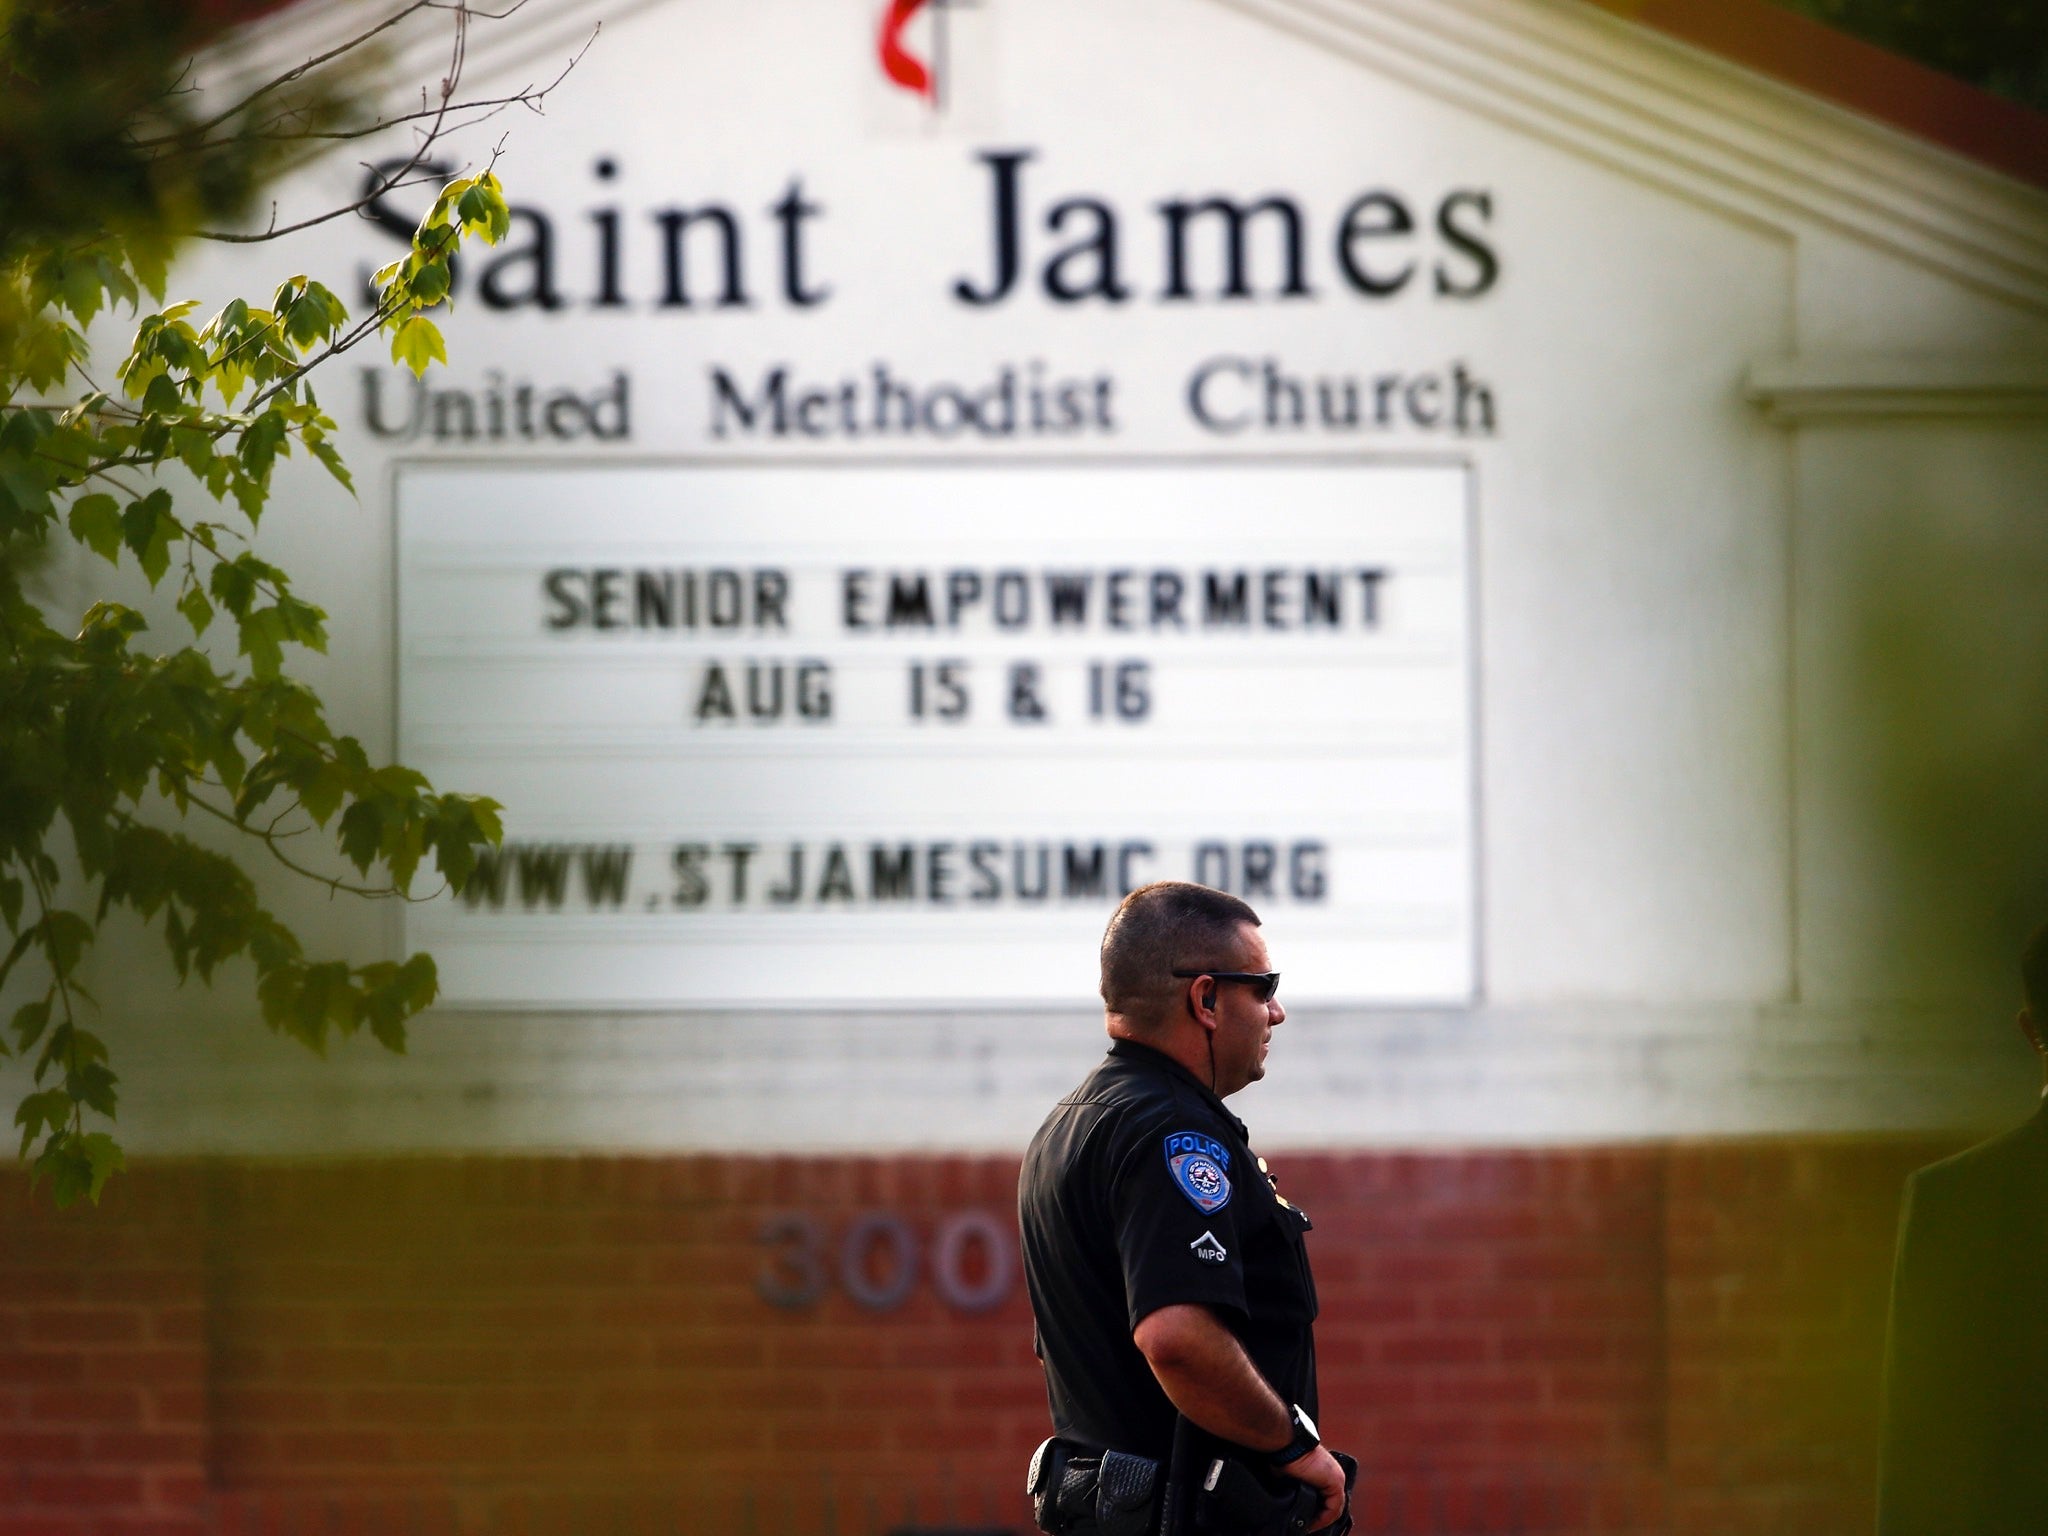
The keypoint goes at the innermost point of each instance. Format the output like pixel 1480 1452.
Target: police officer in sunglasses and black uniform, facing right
pixel 1166 1275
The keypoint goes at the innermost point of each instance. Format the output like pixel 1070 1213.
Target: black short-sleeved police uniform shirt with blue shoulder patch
pixel 1142 1193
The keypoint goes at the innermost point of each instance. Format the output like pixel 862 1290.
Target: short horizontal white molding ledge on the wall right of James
pixel 1830 388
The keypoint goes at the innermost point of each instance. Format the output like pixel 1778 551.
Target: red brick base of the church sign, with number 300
pixel 1660 1340
